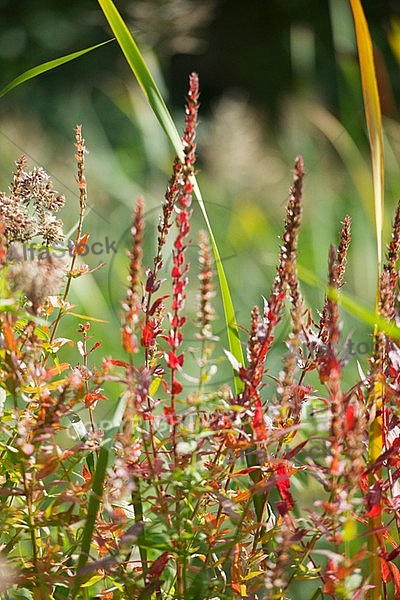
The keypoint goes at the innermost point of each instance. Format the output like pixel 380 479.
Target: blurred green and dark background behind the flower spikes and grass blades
pixel 277 79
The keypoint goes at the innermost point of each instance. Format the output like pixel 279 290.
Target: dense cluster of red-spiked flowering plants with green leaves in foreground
pixel 208 493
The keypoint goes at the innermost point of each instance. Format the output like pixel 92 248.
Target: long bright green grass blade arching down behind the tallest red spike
pixel 153 95
